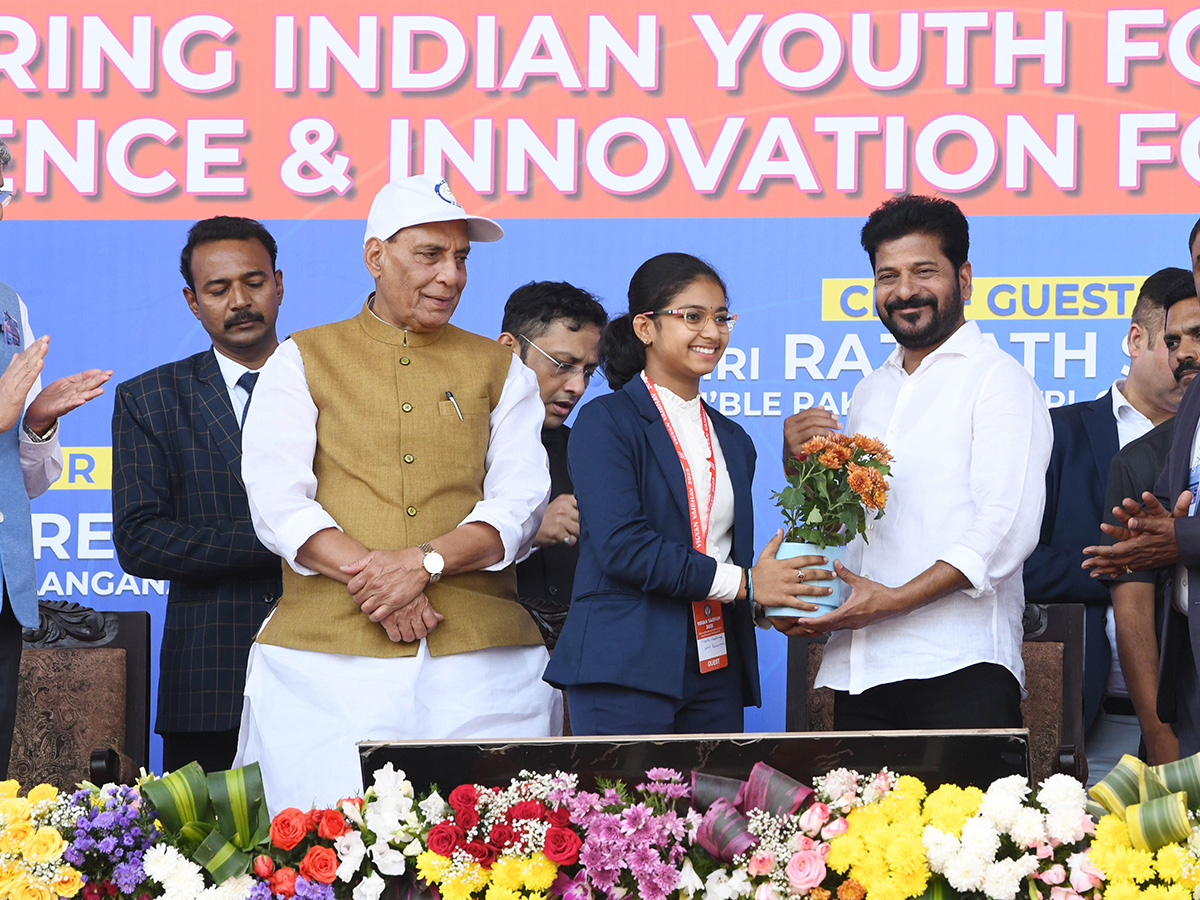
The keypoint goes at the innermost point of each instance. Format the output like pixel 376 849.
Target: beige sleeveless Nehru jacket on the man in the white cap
pixel 397 466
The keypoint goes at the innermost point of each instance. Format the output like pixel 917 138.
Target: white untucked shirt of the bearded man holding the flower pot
pixel 971 439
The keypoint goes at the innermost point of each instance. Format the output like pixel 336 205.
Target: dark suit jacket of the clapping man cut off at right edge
pixel 1179 680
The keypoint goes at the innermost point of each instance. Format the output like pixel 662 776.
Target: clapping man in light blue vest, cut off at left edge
pixel 31 461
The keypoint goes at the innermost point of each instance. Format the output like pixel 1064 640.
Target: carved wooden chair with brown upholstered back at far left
pixel 83 705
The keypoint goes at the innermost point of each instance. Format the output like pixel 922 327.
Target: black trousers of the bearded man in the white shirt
pixel 981 697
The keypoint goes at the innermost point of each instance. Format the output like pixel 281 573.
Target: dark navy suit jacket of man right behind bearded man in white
pixel 1085 441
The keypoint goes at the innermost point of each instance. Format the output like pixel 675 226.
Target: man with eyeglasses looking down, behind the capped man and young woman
pixel 555 329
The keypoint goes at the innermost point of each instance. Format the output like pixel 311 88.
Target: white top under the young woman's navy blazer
pixel 685 416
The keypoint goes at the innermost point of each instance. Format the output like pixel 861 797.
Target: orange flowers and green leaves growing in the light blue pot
pixel 832 484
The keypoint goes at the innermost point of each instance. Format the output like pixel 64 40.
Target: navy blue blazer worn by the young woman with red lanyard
pixel 631 619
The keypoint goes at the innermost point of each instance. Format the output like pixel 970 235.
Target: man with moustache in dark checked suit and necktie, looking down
pixel 179 503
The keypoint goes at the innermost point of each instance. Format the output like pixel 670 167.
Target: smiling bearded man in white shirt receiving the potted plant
pixel 931 633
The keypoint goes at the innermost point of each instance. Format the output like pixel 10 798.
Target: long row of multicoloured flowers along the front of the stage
pixel 851 837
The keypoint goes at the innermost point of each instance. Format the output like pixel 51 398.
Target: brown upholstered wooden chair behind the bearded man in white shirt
pixel 1054 679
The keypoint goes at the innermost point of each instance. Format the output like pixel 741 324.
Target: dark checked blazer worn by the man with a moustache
pixel 181 513
